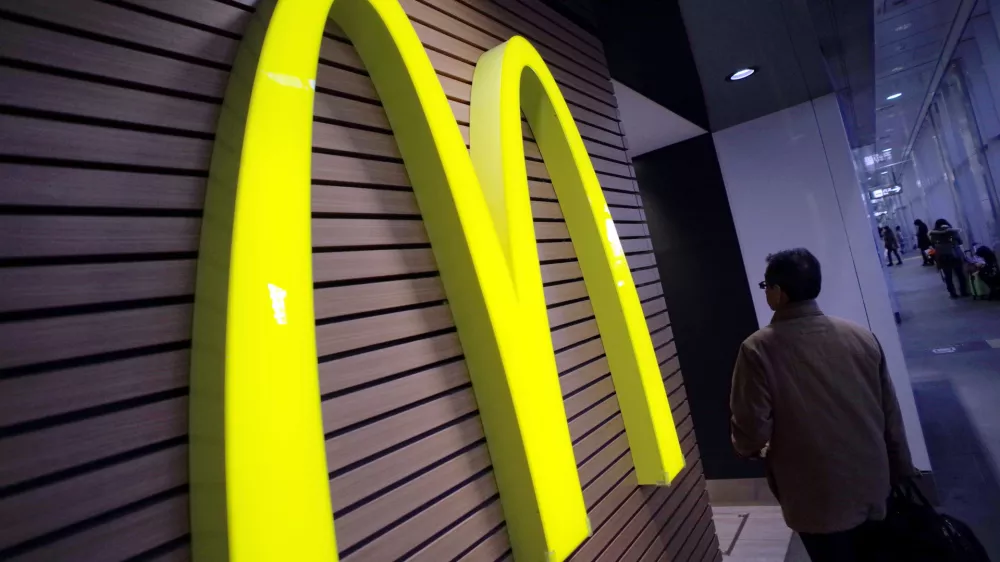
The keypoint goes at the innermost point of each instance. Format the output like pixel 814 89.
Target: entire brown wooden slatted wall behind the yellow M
pixel 107 113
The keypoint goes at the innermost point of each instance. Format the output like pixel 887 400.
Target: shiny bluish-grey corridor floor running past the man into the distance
pixel 957 393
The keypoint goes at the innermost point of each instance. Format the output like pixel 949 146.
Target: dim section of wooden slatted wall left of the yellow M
pixel 106 122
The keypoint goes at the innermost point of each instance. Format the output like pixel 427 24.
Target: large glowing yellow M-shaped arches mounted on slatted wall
pixel 259 481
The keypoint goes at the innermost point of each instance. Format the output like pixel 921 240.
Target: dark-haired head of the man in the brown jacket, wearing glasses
pixel 791 276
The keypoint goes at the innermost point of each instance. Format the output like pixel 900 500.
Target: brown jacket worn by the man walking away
pixel 816 389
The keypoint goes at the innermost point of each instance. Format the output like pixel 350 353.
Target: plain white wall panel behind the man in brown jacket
pixel 791 182
